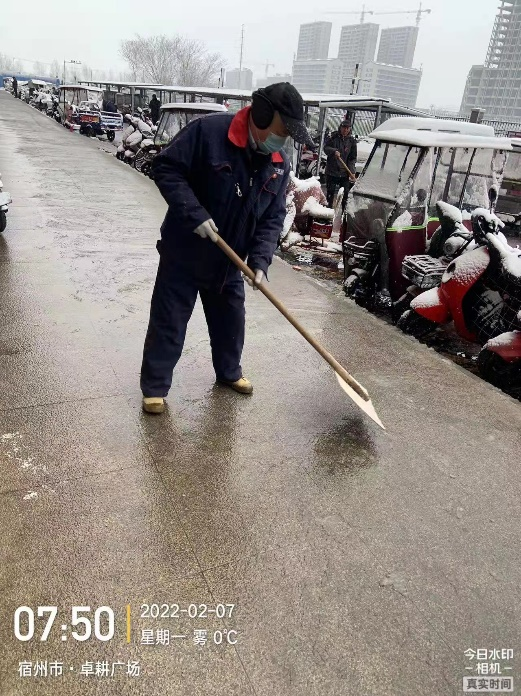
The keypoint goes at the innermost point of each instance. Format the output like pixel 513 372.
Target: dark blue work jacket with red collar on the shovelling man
pixel 209 171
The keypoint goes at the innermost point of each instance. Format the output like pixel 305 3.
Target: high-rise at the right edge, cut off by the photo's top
pixel 496 85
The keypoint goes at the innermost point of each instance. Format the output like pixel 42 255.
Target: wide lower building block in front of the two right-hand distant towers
pixel 400 85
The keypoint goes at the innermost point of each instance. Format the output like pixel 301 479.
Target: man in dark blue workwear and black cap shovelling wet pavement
pixel 226 174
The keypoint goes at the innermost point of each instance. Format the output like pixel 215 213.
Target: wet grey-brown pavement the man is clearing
pixel 360 562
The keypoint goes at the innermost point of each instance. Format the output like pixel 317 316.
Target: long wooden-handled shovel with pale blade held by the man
pixel 352 388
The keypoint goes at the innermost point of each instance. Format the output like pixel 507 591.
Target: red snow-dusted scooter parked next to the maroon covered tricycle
pixel 480 290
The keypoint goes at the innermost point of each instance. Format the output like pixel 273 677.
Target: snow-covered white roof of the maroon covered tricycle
pixel 420 138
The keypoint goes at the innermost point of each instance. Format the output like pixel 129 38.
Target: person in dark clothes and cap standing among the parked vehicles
pixel 341 145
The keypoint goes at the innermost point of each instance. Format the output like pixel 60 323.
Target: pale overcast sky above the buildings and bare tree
pixel 452 38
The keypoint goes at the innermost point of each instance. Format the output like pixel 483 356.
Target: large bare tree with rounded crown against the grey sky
pixel 171 60
